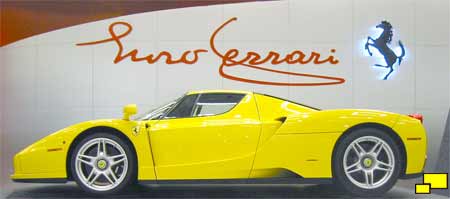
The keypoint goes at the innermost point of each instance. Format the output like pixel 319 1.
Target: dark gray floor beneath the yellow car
pixel 70 190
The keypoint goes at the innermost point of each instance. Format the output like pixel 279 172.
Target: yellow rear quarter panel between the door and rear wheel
pixel 308 136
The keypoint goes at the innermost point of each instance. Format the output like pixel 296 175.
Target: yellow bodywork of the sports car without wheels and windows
pixel 260 137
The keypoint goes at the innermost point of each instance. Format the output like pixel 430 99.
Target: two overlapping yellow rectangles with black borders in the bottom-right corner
pixel 432 181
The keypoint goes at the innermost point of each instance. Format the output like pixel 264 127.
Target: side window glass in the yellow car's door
pixel 216 103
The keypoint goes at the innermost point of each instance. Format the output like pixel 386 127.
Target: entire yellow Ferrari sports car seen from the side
pixel 231 136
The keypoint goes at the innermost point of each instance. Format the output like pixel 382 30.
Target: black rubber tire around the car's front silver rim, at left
pixel 130 175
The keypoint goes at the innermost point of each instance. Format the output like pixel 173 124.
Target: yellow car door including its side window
pixel 207 136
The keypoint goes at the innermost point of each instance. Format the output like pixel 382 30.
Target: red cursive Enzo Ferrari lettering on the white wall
pixel 230 58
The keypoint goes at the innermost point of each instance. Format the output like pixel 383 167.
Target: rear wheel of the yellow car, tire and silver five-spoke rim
pixel 367 162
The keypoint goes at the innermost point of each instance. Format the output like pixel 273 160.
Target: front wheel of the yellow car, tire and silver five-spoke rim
pixel 102 164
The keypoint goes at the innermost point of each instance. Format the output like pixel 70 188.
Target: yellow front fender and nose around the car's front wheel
pixel 47 157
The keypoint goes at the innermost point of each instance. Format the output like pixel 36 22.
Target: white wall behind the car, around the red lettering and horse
pixel 50 83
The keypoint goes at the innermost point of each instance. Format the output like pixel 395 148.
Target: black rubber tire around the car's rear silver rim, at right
pixel 339 175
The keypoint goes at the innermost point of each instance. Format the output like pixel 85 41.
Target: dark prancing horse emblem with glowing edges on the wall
pixel 381 44
